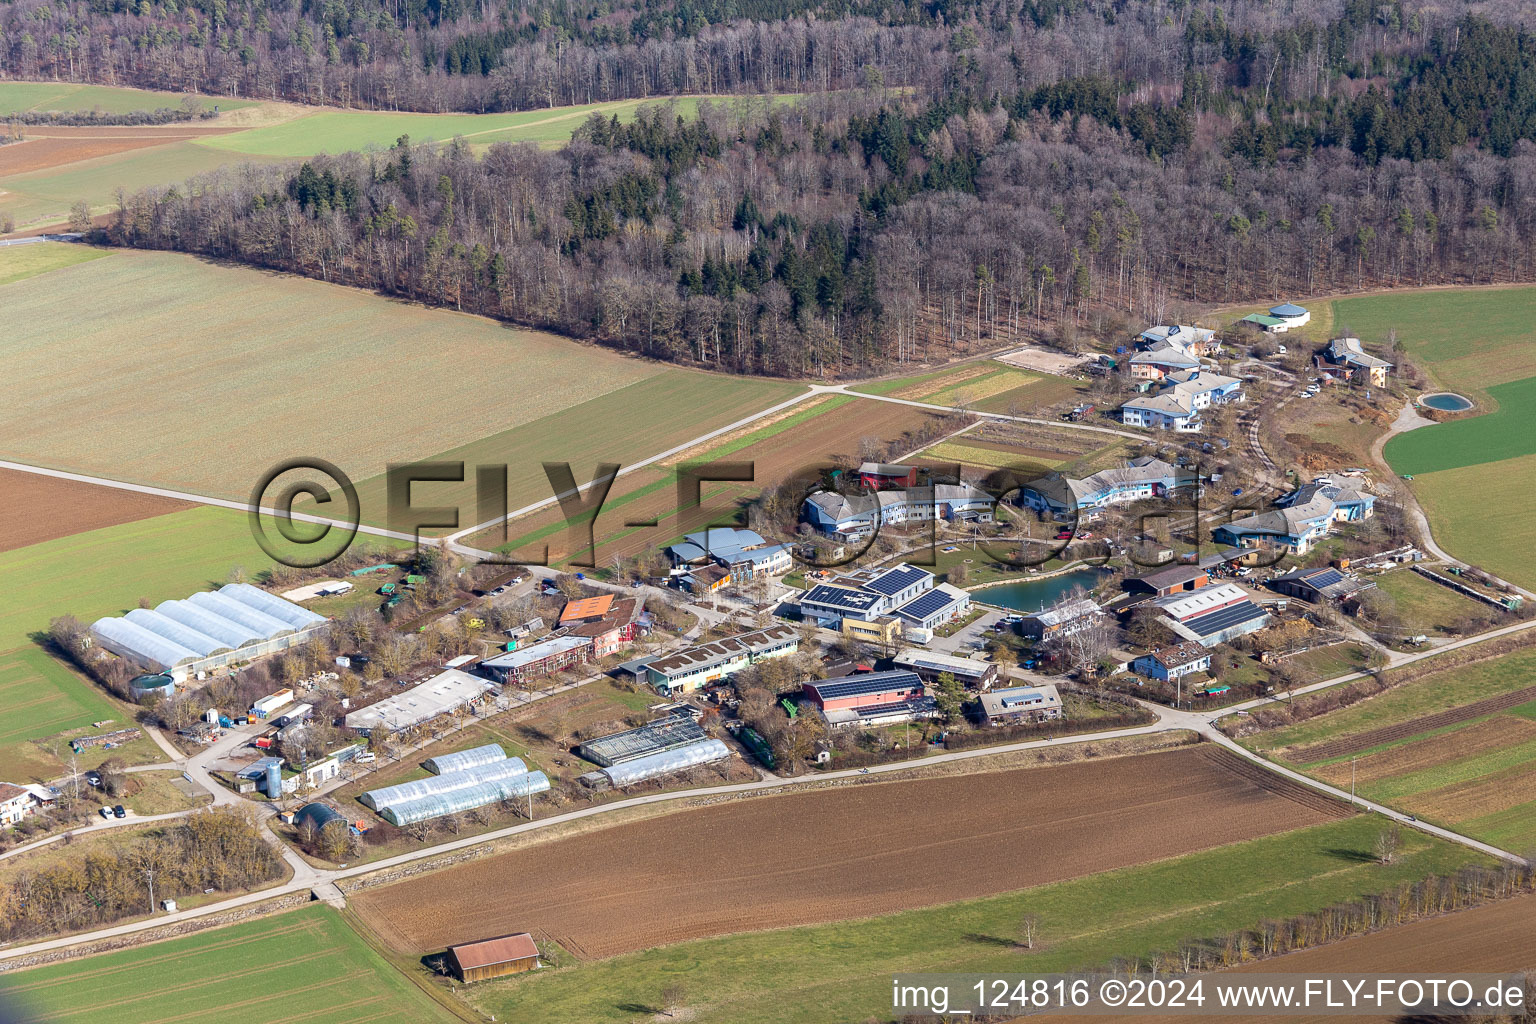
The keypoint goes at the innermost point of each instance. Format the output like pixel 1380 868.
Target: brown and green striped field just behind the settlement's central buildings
pixel 799 438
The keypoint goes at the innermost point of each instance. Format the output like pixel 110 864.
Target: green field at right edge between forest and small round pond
pixel 1466 339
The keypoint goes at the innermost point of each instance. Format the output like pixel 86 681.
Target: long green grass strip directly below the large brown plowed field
pixel 841 973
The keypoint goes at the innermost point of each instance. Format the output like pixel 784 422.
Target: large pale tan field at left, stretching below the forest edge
pixel 145 368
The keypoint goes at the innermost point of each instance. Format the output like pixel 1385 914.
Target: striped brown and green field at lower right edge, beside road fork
pixel 1457 748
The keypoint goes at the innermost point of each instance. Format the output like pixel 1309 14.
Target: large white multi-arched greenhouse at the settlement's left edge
pixel 210 630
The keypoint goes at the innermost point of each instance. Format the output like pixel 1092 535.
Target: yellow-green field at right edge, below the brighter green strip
pixel 1481 515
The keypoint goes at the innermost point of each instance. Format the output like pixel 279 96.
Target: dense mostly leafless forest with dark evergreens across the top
pixel 952 177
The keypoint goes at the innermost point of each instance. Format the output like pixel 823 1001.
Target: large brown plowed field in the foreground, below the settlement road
pixel 844 853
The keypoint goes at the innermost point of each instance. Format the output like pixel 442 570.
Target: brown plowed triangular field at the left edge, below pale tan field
pixel 36 507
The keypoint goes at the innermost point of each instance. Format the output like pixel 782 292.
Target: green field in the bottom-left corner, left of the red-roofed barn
pixel 299 966
